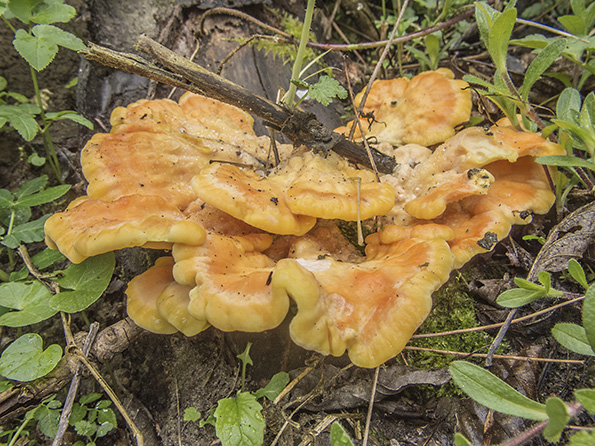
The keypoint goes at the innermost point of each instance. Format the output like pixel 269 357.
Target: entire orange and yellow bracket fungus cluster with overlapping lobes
pixel 247 239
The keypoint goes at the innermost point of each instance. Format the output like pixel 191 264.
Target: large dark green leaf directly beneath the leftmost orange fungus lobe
pixel 84 283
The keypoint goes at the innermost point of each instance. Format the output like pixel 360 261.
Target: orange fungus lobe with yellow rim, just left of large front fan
pixel 231 282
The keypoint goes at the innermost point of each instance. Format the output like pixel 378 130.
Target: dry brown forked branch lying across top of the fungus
pixel 300 127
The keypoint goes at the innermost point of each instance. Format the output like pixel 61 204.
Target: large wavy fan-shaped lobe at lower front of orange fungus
pixel 371 308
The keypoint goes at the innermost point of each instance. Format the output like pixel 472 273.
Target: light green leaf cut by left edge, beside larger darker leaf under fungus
pixel 30 302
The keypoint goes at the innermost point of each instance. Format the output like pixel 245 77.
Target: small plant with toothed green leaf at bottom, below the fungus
pixel 238 419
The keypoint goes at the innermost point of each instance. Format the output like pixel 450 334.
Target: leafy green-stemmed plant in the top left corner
pixel 38 44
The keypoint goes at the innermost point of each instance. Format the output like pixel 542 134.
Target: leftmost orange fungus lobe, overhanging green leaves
pixel 94 227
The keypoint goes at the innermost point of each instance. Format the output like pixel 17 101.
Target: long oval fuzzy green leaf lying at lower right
pixel 492 392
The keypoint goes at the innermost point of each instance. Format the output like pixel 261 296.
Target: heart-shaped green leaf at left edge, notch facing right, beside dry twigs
pixel 25 360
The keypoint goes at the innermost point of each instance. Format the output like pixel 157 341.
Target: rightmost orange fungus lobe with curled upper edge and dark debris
pixel 479 183
